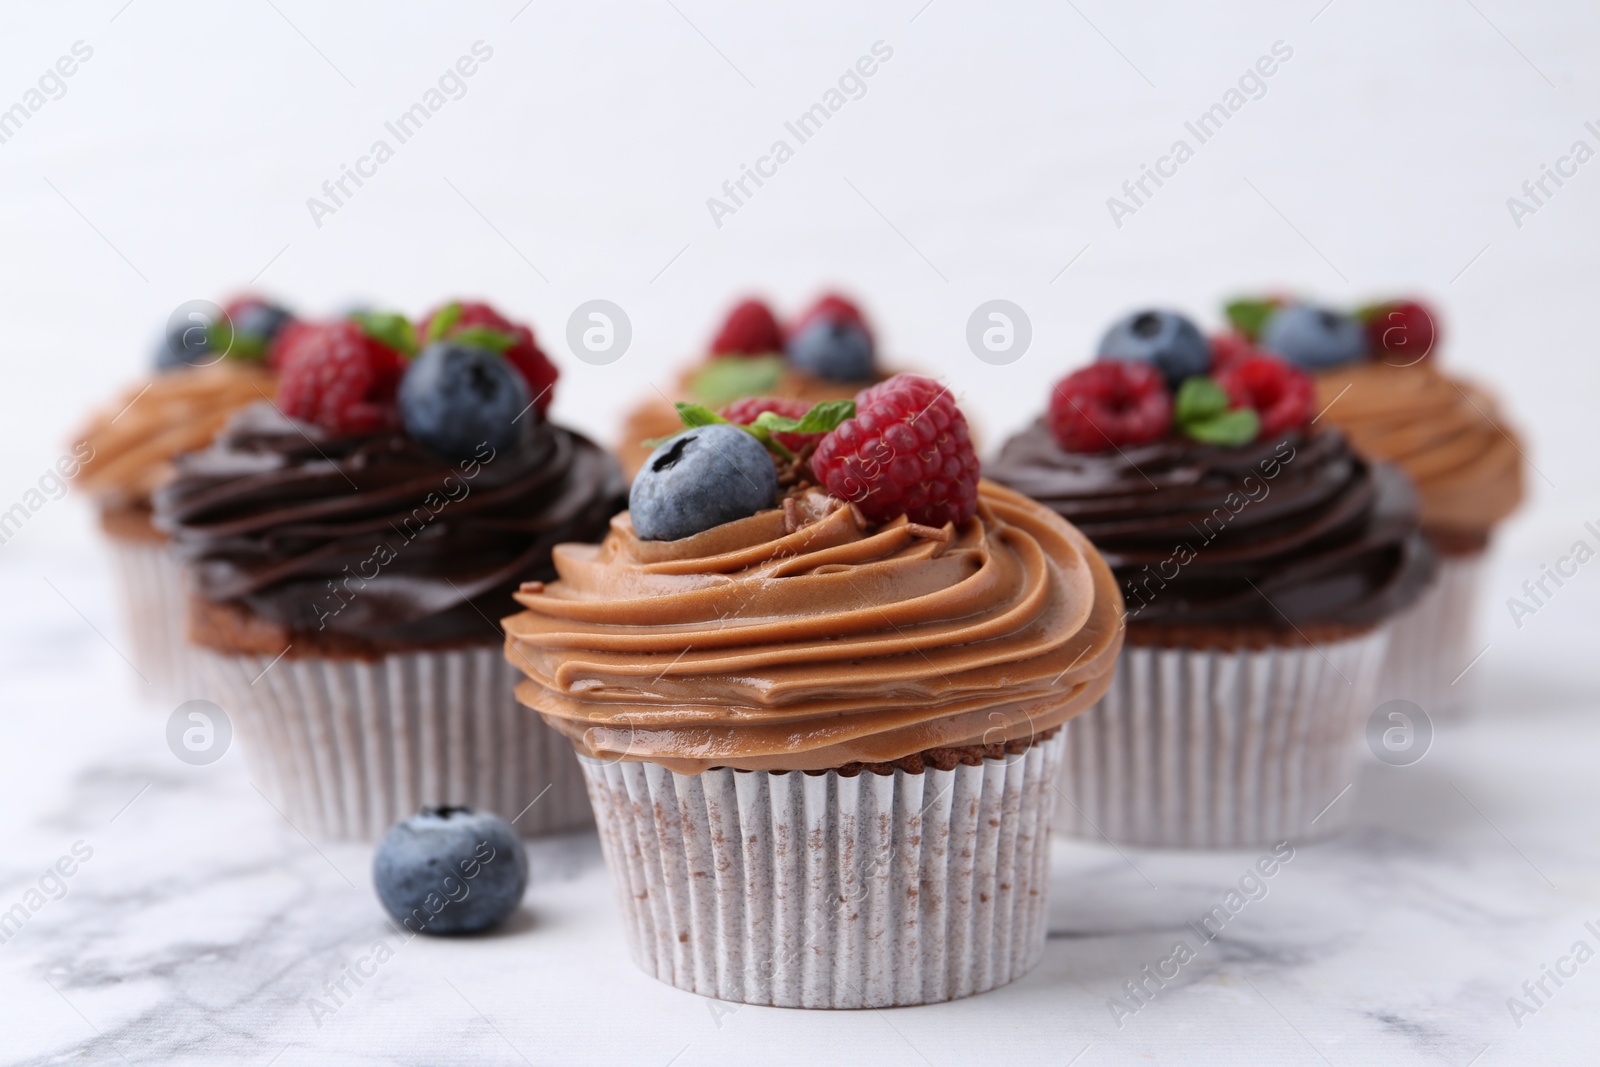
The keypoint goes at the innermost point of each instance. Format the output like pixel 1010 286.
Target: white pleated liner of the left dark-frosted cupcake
pixel 348 748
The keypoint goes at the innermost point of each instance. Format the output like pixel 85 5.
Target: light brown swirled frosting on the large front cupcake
pixel 809 642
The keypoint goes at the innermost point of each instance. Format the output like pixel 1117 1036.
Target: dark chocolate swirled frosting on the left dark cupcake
pixel 374 538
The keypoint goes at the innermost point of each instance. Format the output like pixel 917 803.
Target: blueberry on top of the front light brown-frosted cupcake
pixel 702 479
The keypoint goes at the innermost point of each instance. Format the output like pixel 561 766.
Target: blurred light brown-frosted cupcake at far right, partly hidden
pixel 1378 378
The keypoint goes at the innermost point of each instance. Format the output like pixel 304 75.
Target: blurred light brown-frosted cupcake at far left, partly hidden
pixel 127 450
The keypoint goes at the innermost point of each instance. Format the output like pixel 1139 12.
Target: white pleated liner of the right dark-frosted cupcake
pixel 1222 749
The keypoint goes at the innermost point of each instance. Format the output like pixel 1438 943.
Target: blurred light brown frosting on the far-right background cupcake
pixel 1447 434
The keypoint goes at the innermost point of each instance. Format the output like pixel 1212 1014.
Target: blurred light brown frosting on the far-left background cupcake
pixel 137 438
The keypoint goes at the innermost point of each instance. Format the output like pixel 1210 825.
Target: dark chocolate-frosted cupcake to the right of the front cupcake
pixel 1262 562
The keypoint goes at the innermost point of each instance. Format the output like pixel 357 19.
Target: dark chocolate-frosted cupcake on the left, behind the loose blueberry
pixel 350 549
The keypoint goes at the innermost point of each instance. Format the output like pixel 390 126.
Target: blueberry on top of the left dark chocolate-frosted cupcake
pixel 457 398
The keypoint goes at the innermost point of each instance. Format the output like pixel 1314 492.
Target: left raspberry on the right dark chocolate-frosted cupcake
pixel 1108 406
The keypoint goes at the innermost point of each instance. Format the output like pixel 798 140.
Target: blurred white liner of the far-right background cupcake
pixel 1436 641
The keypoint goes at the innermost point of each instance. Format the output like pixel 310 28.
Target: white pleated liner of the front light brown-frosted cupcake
pixel 831 892
